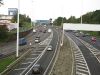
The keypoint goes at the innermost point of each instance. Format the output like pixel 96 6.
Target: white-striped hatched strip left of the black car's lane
pixel 28 60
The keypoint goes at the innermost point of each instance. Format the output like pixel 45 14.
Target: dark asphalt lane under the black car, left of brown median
pixel 47 57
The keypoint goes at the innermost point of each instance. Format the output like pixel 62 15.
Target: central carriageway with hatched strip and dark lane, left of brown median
pixel 44 60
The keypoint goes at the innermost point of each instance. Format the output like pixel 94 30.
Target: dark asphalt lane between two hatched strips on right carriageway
pixel 92 62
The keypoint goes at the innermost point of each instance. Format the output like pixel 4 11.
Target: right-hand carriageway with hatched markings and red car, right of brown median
pixel 87 58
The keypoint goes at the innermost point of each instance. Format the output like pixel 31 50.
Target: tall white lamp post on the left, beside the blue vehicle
pixel 17 47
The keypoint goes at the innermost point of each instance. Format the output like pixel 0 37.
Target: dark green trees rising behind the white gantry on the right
pixel 88 18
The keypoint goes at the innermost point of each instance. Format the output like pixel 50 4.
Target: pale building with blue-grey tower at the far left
pixel 5 20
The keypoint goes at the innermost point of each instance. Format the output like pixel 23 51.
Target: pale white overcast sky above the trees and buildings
pixel 46 9
